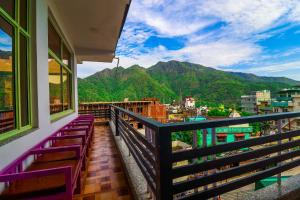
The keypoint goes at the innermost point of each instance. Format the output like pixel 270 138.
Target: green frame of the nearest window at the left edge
pixel 15 22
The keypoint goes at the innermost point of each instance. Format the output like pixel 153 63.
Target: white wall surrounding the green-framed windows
pixel 14 149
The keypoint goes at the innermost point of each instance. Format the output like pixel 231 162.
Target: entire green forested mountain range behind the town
pixel 174 80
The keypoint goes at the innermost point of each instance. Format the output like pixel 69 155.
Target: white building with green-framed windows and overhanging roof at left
pixel 44 42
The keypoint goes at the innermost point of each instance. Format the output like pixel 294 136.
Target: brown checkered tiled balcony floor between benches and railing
pixel 105 178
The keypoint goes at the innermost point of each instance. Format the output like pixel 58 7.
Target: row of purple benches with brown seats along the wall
pixel 57 163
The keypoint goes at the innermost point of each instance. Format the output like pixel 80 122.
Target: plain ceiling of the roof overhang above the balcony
pixel 93 26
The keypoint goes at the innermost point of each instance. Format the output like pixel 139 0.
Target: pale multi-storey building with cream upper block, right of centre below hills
pixel 256 101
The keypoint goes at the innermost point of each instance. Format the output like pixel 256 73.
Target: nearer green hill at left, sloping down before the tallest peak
pixel 116 84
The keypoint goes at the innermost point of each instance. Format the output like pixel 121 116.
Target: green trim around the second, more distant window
pixel 69 69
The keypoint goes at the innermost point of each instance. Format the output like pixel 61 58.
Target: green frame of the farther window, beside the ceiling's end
pixel 68 68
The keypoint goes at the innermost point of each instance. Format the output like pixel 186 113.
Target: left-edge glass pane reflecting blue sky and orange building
pixel 7 91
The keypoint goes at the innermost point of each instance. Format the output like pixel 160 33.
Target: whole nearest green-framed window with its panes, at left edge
pixel 15 106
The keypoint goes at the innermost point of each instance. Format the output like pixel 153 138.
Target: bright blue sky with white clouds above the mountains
pixel 252 36
